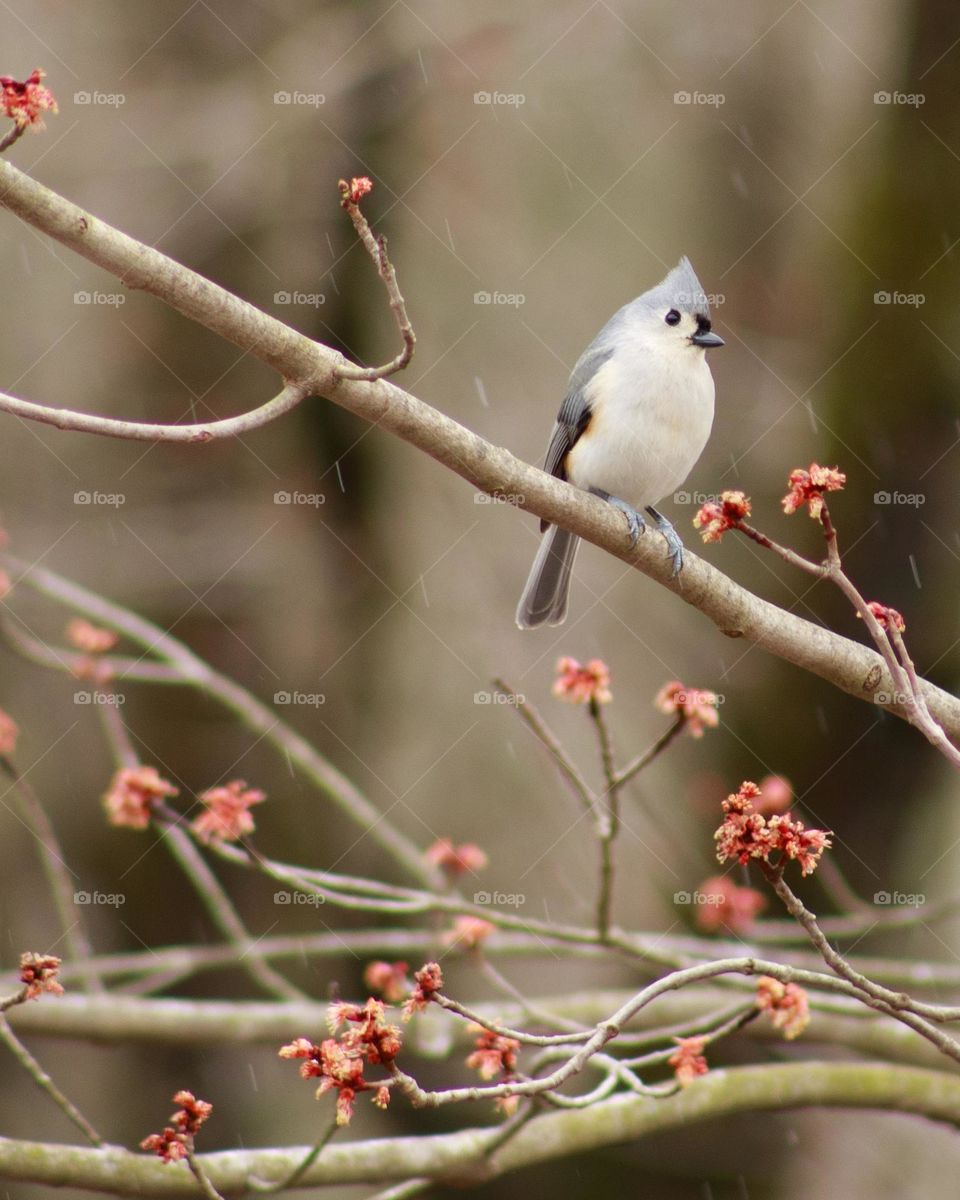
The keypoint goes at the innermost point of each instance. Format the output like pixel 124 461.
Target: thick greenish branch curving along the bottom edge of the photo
pixel 463 1156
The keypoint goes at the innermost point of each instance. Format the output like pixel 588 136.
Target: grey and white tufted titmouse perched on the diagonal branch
pixel 637 417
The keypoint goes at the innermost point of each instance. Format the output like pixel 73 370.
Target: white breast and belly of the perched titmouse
pixel 652 417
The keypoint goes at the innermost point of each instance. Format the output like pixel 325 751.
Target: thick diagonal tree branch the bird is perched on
pixel 849 665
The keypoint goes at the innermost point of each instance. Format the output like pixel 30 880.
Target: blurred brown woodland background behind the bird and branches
pixel 535 169
